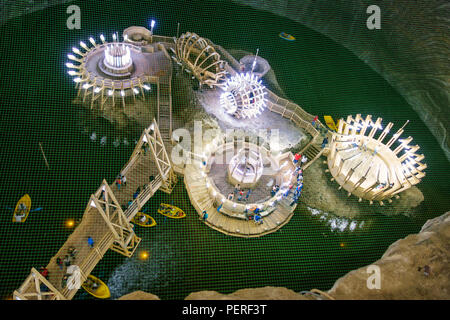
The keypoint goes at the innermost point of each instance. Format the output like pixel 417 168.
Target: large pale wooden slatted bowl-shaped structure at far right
pixel 368 168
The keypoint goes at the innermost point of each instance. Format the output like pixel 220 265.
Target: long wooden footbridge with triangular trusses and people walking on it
pixel 107 219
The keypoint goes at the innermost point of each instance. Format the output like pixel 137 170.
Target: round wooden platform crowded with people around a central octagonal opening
pixel 210 191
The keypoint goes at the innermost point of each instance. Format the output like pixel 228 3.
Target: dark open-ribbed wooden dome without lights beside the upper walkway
pixel 199 56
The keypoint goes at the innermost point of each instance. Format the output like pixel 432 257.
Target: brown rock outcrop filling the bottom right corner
pixel 416 267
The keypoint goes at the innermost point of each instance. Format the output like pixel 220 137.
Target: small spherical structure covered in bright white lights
pixel 243 96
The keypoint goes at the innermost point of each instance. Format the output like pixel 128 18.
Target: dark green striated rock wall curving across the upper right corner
pixel 410 50
